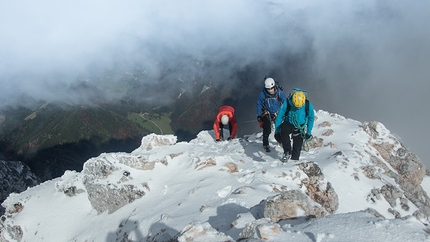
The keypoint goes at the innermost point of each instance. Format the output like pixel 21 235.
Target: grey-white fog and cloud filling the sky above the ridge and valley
pixel 366 60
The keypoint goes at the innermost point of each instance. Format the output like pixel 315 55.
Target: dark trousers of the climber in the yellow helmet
pixel 288 129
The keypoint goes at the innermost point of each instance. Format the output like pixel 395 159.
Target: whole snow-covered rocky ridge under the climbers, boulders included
pixel 354 175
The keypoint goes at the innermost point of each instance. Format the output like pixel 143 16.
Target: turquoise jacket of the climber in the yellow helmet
pixel 300 113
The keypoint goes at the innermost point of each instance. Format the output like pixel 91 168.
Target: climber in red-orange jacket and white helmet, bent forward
pixel 225 116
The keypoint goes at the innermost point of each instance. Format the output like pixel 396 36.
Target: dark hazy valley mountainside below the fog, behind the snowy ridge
pixel 54 137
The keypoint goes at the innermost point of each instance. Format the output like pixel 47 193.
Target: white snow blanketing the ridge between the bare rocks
pixel 214 190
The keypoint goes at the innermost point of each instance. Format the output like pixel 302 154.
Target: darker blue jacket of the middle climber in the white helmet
pixel 271 103
